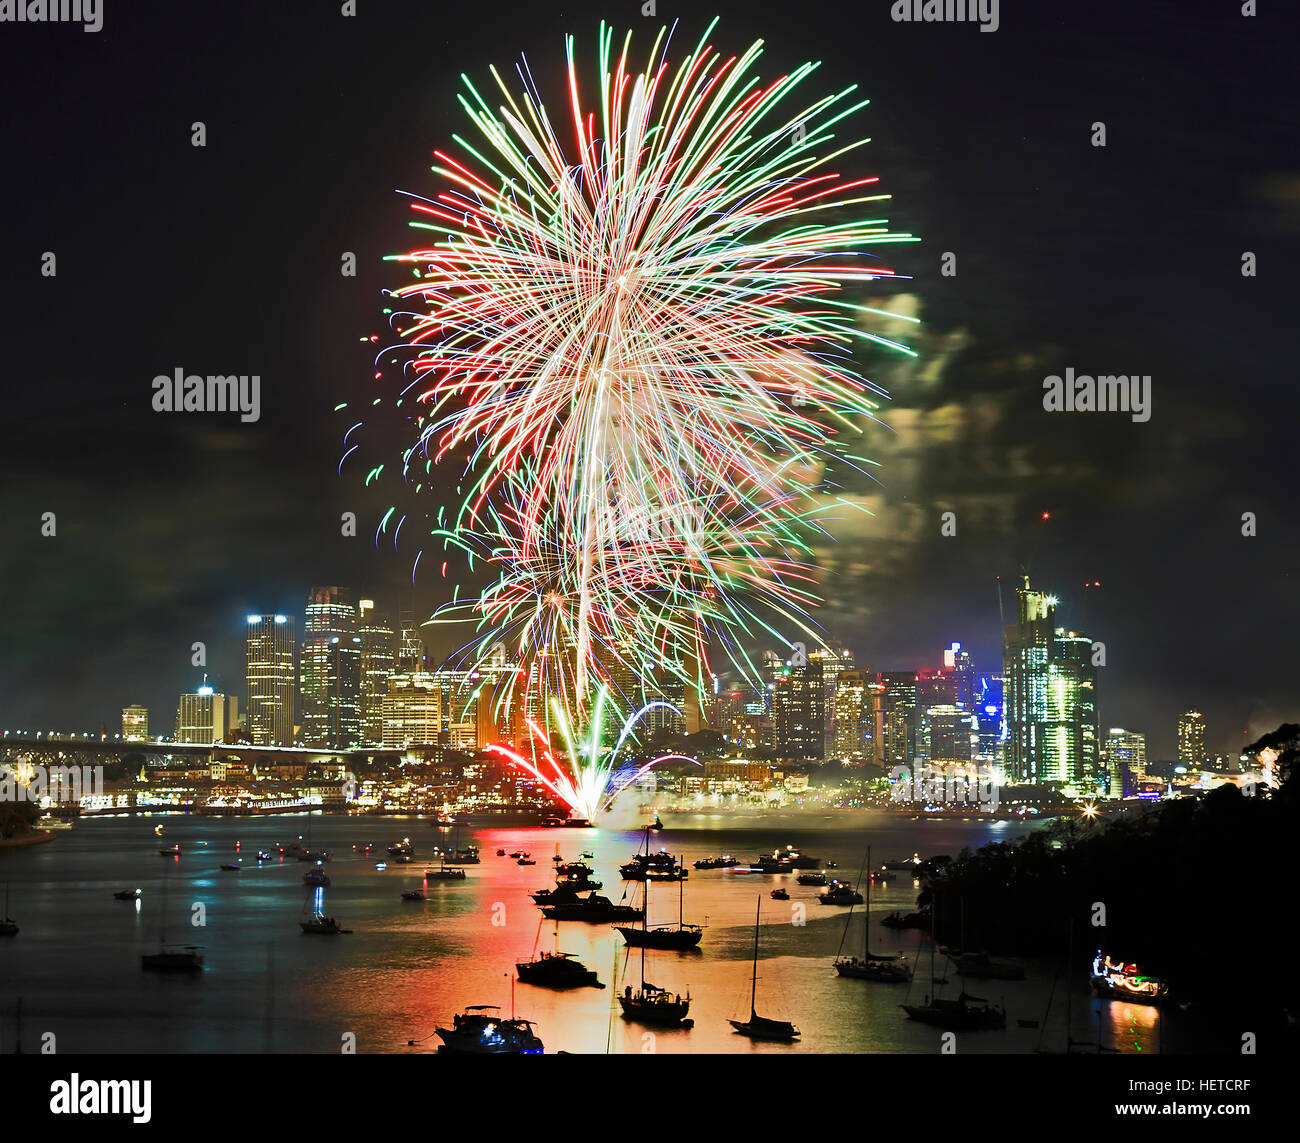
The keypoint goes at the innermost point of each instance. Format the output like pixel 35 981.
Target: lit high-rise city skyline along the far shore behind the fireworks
pixel 400 646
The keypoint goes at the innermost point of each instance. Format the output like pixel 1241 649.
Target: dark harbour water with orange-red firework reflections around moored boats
pixel 408 967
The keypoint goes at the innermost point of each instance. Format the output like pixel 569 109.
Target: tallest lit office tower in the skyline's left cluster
pixel 331 677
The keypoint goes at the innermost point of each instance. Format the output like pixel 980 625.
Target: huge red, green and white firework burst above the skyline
pixel 631 332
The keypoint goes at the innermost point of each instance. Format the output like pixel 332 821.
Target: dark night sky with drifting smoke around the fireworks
pixel 1124 259
